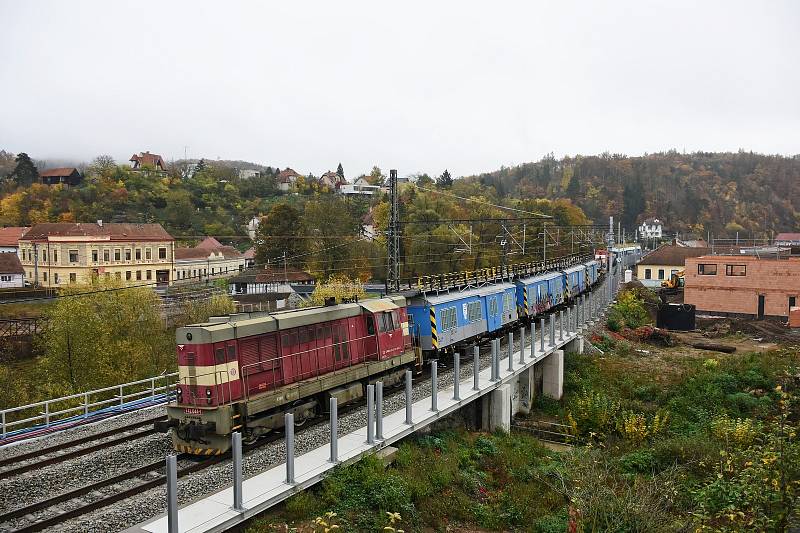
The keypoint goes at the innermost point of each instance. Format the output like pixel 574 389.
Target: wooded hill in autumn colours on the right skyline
pixel 699 192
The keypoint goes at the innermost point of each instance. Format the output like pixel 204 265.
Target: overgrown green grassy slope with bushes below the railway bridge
pixel 692 473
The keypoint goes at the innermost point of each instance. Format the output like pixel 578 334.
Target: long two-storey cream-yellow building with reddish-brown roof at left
pixel 57 254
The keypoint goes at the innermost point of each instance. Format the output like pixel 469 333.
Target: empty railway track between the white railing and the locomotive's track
pixel 55 454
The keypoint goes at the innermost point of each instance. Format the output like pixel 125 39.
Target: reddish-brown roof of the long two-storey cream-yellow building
pixel 116 232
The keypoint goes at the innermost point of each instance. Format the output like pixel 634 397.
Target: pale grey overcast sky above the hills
pixel 417 86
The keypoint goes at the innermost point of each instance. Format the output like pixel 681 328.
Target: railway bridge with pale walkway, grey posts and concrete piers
pixel 492 395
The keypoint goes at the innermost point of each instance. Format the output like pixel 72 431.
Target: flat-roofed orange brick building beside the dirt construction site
pixel 743 285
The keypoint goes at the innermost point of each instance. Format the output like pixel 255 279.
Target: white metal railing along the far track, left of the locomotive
pixel 84 404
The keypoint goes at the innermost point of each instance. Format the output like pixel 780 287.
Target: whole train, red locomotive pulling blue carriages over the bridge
pixel 243 372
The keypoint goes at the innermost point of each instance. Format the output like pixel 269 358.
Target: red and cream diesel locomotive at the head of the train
pixel 244 371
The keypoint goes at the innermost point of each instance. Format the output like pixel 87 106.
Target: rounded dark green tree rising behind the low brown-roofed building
pixel 279 232
